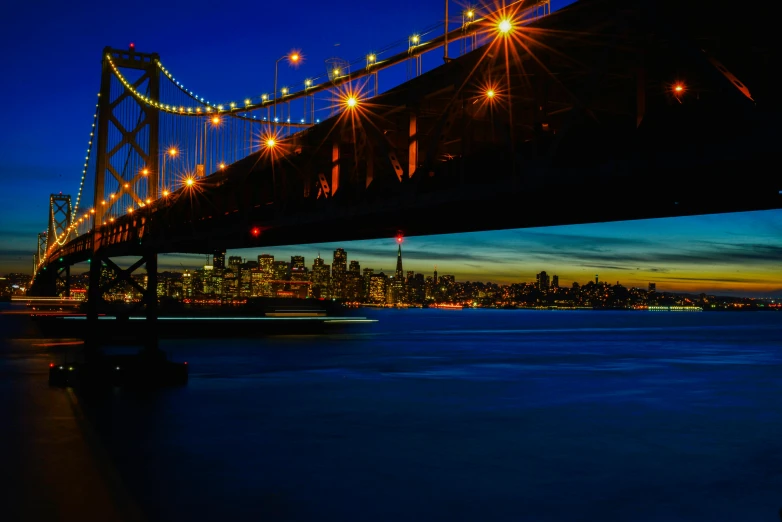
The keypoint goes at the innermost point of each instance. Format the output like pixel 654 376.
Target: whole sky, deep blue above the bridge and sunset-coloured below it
pixel 52 55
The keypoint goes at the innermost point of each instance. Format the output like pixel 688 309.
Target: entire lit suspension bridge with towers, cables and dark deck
pixel 605 110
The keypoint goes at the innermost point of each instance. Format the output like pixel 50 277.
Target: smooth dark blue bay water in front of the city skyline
pixel 465 415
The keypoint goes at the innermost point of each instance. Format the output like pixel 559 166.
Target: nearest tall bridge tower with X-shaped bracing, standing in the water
pixel 126 170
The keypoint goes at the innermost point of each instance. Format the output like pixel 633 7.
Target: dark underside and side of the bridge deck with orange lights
pixel 607 110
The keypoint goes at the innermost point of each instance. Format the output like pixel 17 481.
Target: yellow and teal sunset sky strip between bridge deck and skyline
pixel 576 253
